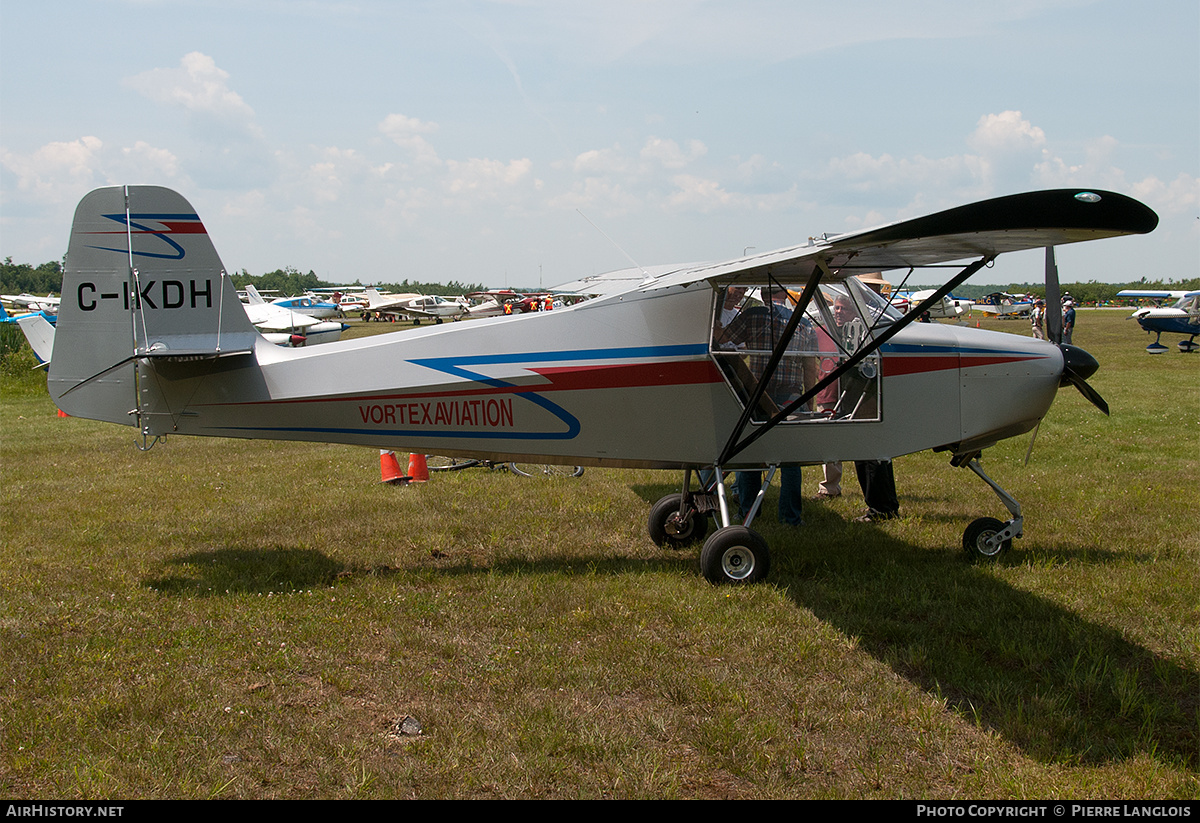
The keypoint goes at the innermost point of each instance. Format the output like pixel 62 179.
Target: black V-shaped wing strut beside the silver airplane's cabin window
pixel 735 447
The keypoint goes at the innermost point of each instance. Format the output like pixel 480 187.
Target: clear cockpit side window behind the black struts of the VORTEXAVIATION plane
pixel 751 320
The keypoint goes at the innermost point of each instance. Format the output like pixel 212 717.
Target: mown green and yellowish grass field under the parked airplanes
pixel 237 620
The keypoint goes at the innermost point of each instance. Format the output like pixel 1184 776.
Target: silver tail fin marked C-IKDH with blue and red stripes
pixel 142 283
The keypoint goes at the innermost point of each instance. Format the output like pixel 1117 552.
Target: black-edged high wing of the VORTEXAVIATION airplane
pixel 985 230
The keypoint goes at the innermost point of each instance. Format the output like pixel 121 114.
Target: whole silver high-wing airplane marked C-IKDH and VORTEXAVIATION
pixel 152 335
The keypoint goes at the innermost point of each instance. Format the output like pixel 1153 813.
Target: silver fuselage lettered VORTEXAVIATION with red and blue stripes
pixel 627 381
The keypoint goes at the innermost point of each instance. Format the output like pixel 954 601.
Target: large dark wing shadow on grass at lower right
pixel 1063 689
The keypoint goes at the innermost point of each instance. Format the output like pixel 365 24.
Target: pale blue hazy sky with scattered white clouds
pixel 529 143
